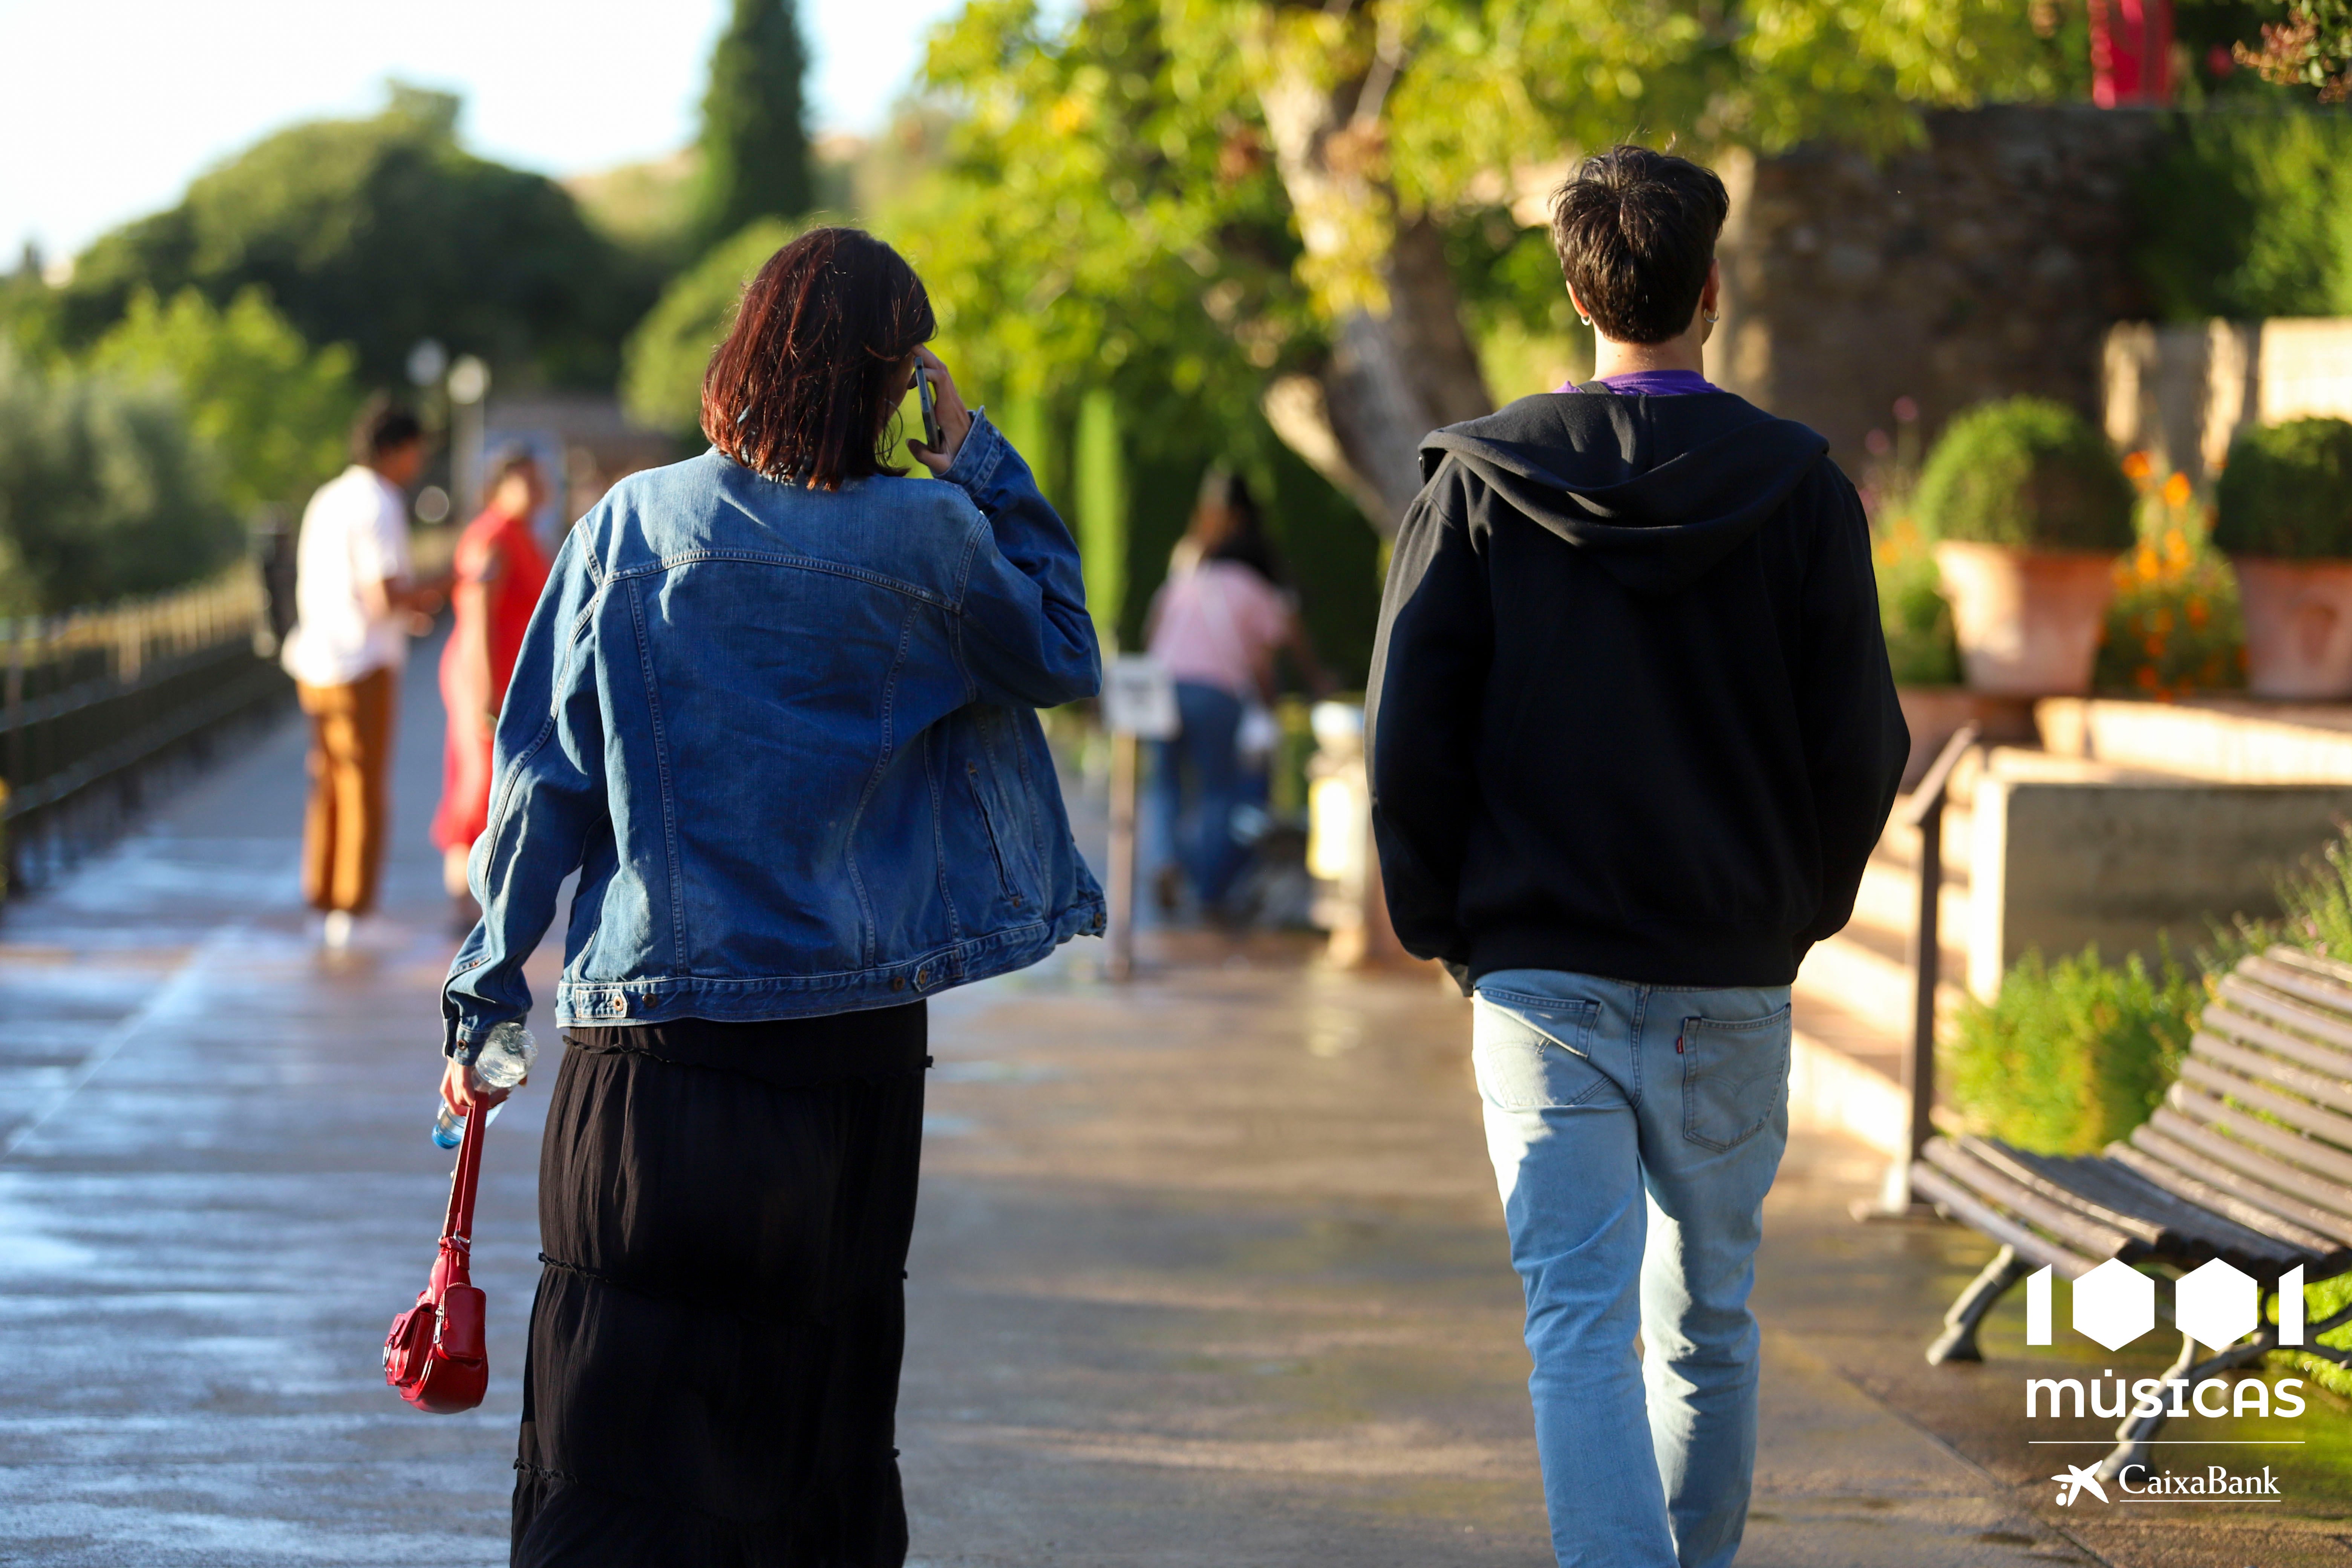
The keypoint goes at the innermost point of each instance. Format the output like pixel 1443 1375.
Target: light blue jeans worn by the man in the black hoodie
pixel 1633 1134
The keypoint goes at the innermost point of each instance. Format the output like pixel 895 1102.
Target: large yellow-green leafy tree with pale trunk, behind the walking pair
pixel 1241 203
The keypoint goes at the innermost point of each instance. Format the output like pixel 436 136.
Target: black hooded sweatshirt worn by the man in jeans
pixel 1631 711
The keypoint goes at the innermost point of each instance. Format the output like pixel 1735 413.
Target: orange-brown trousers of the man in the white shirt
pixel 352 760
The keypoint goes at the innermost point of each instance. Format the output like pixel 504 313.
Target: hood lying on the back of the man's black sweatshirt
pixel 1659 490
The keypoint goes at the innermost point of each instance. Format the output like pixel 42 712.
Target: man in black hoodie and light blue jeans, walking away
pixel 1633 739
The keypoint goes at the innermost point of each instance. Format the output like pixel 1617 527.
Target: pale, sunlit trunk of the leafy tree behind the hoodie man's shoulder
pixel 1394 375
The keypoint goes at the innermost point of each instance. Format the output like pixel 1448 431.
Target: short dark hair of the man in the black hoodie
pixel 1636 234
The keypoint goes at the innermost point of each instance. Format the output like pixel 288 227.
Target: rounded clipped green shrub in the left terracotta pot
pixel 2031 474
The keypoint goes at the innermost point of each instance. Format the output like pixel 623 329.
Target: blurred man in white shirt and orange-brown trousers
pixel 349 641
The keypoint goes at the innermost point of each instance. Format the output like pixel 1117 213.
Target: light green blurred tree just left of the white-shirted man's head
pixel 272 410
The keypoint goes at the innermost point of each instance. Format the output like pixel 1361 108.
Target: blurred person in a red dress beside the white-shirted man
pixel 500 572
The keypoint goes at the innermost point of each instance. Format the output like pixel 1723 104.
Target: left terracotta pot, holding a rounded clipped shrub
pixel 2026 619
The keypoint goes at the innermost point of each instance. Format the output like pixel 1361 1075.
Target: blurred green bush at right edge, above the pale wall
pixel 2247 215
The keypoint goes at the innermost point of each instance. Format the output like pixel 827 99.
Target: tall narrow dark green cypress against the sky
pixel 756 147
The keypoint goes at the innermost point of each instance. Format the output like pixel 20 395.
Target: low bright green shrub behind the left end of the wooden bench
pixel 2073 1054
